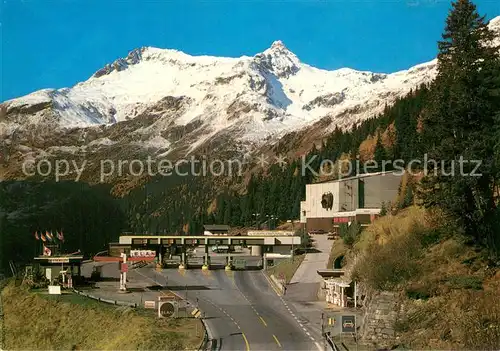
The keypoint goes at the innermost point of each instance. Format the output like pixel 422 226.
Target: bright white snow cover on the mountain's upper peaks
pixel 268 94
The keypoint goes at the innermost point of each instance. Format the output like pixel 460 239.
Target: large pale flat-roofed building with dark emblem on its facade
pixel 359 198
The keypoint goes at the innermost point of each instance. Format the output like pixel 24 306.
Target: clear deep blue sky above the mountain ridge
pixel 55 44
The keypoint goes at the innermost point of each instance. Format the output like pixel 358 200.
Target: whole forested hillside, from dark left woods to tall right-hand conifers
pixel 456 117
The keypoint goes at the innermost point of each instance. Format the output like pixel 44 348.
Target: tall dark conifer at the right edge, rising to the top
pixel 459 122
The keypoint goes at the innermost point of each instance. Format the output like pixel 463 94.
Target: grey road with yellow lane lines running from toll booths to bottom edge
pixel 242 299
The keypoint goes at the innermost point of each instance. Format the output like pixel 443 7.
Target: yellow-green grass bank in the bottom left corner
pixel 63 322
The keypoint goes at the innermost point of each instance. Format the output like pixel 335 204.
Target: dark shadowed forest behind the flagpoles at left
pixel 89 218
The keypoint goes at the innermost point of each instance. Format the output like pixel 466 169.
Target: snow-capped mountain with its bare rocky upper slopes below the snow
pixel 167 100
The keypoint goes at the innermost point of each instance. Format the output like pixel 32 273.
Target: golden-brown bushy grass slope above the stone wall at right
pixel 449 290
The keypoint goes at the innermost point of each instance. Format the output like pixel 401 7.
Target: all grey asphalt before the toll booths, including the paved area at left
pixel 241 310
